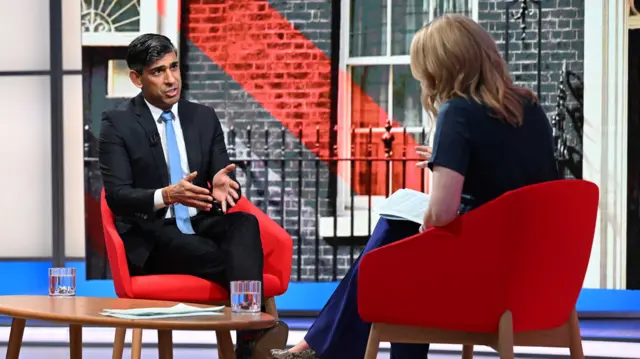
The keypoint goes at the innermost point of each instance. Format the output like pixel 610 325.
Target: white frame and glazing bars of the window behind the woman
pixel 344 99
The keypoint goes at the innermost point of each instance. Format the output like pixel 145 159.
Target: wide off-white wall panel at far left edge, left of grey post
pixel 25 138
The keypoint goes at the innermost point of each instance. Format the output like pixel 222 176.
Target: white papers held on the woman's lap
pixel 404 204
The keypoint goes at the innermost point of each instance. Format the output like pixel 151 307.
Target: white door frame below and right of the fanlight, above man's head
pixel 148 24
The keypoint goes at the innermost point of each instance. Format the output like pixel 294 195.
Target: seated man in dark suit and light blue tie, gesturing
pixel 169 182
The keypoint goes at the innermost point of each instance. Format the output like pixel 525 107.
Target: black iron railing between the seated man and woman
pixel 290 183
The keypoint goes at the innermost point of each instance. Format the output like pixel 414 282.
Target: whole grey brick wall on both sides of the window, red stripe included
pixel 267 64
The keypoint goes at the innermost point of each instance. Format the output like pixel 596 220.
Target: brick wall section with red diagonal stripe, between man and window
pixel 267 65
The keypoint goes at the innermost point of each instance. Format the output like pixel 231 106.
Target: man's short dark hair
pixel 147 49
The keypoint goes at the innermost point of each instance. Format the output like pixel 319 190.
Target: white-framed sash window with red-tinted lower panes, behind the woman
pixel 375 40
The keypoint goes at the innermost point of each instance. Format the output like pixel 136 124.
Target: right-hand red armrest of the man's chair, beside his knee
pixel 277 244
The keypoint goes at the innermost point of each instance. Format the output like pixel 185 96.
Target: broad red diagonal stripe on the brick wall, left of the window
pixel 270 59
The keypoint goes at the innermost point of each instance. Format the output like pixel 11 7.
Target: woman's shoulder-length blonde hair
pixel 454 56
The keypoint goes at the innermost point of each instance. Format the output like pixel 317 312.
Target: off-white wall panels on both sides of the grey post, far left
pixel 25 140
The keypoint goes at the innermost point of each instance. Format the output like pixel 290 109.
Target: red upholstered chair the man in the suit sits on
pixel 276 244
